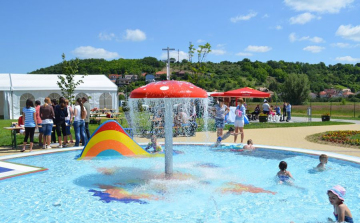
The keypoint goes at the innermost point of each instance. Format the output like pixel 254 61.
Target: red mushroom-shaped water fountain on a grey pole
pixel 168 90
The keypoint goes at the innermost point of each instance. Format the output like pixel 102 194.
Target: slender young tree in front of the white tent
pixel 67 83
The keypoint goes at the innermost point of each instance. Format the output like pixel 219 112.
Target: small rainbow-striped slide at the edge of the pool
pixel 110 139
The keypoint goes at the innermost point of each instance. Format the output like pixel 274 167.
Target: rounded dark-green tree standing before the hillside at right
pixel 296 89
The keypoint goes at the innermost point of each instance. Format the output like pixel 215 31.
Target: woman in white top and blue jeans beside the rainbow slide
pixel 79 123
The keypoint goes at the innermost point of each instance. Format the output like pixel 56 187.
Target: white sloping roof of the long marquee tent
pixel 22 82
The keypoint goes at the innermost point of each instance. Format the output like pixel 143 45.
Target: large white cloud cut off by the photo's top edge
pixel 320 6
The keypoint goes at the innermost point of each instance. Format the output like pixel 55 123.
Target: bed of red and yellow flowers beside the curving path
pixel 342 137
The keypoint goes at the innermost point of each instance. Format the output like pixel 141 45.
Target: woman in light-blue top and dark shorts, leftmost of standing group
pixel 29 114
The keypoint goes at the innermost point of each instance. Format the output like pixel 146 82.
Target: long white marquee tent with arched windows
pixel 15 89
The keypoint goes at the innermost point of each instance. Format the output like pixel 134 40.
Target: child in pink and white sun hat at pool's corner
pixel 341 211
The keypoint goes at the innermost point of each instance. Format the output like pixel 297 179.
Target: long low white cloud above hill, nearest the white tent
pixel 92 52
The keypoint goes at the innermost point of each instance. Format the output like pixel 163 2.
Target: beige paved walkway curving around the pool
pixel 285 137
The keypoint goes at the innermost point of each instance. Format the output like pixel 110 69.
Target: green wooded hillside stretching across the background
pixel 226 75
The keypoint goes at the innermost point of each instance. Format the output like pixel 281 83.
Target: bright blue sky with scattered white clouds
pixel 35 33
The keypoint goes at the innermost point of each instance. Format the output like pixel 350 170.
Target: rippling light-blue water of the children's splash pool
pixel 209 185
